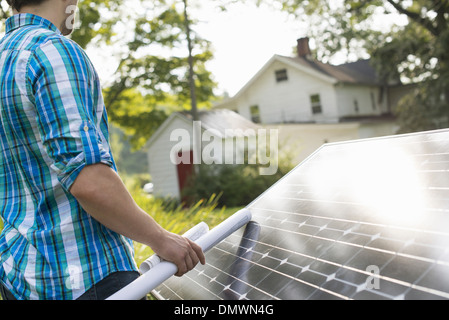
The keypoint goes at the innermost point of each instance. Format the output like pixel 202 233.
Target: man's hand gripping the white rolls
pixel 184 253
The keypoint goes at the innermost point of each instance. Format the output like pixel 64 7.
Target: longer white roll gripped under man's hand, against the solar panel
pixel 162 271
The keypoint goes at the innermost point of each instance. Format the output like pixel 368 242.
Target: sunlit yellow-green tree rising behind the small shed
pixel 156 64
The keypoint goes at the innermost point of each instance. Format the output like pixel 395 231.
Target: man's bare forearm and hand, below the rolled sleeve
pixel 101 192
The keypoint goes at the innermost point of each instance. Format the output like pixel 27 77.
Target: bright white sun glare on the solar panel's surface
pixel 383 179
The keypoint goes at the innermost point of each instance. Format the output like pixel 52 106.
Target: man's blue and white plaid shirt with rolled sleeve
pixel 53 123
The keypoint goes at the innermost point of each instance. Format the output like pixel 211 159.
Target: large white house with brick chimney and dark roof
pixel 302 90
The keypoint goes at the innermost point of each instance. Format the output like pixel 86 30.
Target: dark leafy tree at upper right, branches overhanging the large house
pixel 416 51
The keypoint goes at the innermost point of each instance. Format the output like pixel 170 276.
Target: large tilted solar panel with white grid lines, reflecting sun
pixel 366 219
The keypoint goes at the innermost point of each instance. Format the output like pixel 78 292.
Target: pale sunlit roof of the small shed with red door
pixel 222 123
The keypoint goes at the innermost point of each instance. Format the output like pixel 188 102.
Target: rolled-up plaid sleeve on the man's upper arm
pixel 67 96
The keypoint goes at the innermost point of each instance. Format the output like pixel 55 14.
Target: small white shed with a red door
pixel 180 143
